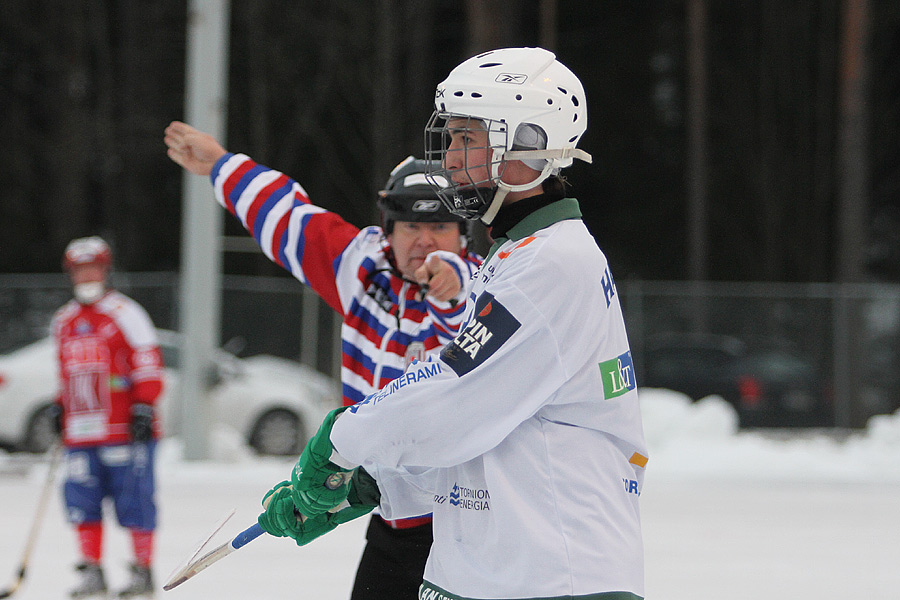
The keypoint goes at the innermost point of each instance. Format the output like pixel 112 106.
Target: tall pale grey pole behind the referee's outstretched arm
pixel 201 241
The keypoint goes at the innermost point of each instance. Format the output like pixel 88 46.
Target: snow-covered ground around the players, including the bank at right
pixel 726 515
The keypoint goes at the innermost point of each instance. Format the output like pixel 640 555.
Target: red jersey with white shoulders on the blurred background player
pixel 109 359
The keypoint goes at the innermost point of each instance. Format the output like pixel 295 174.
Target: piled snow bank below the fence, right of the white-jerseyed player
pixel 701 441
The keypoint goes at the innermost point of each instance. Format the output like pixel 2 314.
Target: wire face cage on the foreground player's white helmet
pixel 464 196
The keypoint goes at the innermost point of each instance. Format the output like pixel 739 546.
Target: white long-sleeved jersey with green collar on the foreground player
pixel 524 437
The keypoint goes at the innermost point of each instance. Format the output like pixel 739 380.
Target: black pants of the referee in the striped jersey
pixel 392 563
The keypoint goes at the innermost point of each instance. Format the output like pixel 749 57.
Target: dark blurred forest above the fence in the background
pixel 779 157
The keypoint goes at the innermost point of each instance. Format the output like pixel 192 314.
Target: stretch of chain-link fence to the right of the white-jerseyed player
pixel 842 340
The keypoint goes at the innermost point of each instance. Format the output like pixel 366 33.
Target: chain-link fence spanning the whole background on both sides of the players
pixel 841 340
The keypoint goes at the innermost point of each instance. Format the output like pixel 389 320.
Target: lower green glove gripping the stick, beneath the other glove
pixel 282 519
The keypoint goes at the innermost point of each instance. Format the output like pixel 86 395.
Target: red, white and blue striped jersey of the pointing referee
pixel 387 321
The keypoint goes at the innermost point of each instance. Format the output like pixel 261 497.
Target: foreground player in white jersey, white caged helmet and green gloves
pixel 524 437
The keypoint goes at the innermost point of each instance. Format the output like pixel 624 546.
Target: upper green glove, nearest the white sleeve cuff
pixel 318 484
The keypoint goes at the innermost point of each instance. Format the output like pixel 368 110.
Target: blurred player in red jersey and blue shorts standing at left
pixel 110 379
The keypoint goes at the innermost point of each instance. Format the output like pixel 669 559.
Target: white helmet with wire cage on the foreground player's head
pixel 534 110
